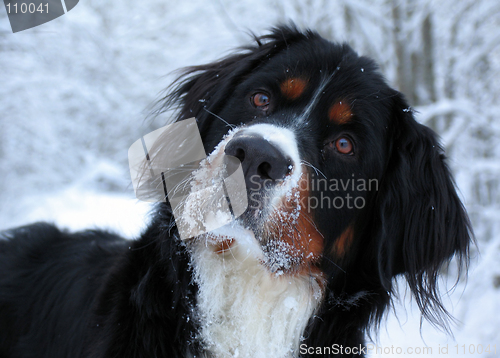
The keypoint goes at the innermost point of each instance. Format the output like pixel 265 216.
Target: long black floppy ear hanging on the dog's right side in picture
pixel 423 222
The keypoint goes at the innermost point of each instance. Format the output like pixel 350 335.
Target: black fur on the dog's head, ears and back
pixel 93 294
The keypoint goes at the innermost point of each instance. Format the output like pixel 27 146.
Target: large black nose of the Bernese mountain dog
pixel 261 161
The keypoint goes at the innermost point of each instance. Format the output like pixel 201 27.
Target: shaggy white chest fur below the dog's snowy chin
pixel 245 310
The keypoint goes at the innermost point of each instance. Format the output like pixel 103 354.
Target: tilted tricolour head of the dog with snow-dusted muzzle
pixel 342 183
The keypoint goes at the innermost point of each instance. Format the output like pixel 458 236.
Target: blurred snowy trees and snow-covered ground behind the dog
pixel 74 94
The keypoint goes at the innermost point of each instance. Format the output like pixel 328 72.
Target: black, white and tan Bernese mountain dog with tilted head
pixel 345 193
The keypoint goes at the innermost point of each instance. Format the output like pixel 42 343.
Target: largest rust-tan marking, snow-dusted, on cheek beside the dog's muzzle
pixel 294 226
